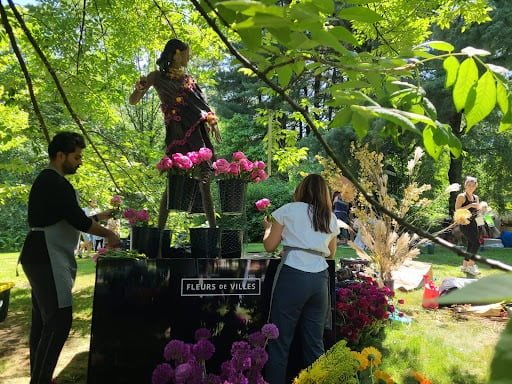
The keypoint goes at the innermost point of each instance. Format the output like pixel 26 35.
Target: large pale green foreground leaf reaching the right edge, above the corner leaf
pixel 487 290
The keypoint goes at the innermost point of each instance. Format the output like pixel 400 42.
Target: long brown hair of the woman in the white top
pixel 313 190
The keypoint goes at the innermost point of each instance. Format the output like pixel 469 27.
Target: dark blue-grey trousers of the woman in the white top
pixel 299 298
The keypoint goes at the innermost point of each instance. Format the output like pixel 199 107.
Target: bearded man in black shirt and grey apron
pixel 56 220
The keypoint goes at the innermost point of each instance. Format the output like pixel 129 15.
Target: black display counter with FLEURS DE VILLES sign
pixel 139 305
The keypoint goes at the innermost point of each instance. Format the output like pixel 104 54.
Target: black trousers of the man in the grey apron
pixel 50 324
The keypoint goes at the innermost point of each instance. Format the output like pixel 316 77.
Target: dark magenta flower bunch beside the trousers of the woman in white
pixel 363 309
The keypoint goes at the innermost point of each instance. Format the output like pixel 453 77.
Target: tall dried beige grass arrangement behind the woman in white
pixel 382 240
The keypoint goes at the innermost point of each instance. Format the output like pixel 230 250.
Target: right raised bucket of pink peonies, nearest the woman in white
pixel 233 178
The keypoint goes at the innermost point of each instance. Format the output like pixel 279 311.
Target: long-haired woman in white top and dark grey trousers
pixel 307 228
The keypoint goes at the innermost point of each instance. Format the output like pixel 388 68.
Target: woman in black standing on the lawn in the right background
pixel 469 200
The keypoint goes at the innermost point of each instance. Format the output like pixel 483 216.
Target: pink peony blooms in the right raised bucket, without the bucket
pixel 240 168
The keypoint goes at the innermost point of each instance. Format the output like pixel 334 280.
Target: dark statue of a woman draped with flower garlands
pixel 189 120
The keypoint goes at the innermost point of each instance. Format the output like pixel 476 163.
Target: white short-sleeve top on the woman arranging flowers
pixel 298 232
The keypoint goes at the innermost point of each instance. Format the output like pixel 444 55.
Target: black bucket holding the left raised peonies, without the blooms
pixel 181 192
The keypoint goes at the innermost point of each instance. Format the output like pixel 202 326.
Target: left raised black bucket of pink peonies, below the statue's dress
pixel 182 172
